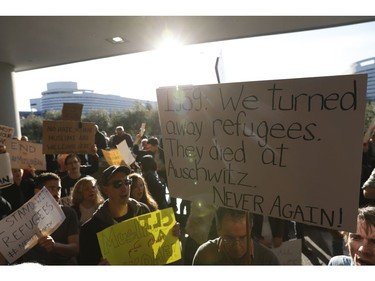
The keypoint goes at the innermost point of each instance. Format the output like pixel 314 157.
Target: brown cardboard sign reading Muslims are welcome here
pixel 68 137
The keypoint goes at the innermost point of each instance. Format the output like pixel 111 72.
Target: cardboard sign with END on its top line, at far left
pixel 25 154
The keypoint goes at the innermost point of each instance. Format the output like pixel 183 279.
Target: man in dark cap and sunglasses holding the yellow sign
pixel 116 208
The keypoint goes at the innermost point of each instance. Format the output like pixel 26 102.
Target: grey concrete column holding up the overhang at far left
pixel 9 115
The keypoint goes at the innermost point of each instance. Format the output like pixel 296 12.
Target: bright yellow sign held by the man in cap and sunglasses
pixel 143 240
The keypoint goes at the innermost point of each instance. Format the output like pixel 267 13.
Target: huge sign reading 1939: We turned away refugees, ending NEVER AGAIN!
pixel 286 148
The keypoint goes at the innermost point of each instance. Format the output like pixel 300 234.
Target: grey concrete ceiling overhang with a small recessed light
pixel 33 42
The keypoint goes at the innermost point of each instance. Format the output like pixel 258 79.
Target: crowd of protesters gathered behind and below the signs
pixel 94 195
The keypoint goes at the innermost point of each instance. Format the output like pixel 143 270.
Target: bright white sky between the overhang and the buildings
pixel 303 54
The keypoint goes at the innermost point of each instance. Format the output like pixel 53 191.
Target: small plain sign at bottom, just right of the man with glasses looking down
pixel 289 253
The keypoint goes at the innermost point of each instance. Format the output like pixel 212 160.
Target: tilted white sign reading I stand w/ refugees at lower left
pixel 19 231
